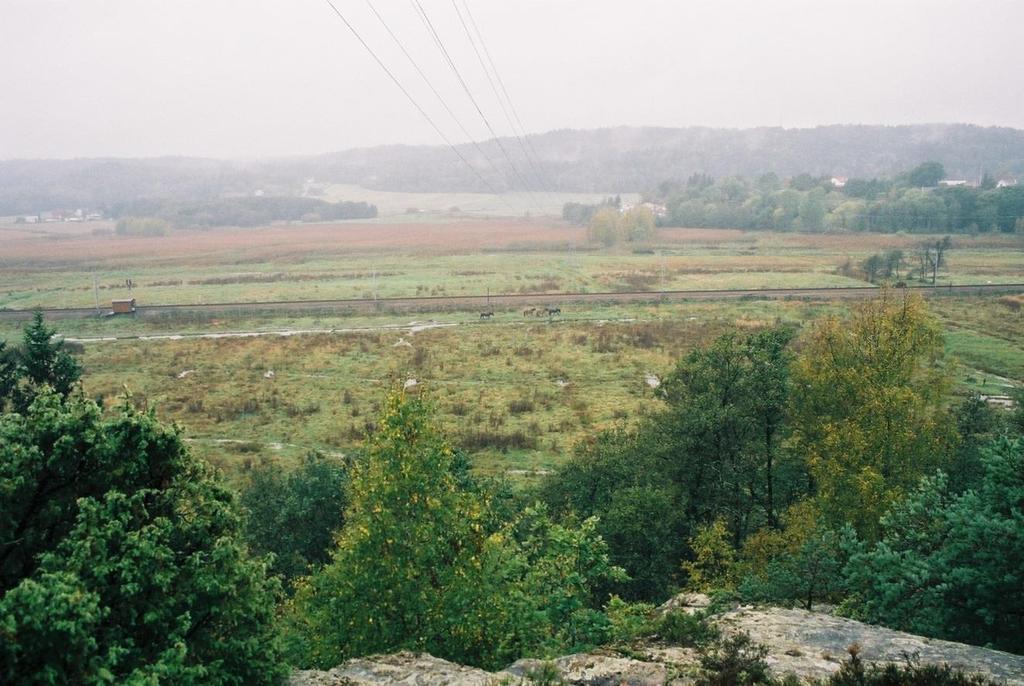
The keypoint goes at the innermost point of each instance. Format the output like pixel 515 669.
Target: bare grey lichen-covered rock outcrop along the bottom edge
pixel 808 646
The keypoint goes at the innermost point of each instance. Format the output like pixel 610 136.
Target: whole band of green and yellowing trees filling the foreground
pixel 790 467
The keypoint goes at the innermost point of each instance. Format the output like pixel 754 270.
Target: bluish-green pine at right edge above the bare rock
pixel 953 566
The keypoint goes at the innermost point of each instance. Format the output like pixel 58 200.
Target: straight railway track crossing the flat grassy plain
pixel 472 303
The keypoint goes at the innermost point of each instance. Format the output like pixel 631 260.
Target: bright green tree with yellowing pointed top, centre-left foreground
pixel 418 568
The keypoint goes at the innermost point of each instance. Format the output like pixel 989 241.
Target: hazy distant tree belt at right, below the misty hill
pixel 912 202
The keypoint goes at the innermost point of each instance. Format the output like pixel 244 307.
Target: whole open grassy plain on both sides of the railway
pixel 517 393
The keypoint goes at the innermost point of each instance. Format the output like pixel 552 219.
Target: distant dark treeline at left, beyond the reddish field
pixel 233 212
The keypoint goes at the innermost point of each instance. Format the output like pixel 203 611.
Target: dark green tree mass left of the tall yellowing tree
pixel 715 451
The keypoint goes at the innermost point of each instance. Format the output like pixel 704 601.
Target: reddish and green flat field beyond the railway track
pixel 77 269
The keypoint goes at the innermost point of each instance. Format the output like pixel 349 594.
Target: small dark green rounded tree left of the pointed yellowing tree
pixel 295 514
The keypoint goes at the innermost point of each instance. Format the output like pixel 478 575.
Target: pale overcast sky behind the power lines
pixel 259 78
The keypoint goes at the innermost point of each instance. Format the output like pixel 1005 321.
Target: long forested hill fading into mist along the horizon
pixel 624 159
